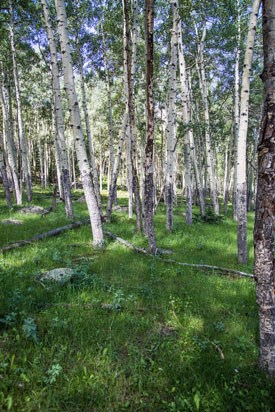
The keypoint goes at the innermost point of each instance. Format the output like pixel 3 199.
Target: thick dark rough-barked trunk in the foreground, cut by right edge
pixel 265 212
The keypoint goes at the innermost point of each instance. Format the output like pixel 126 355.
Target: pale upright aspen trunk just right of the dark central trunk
pixel 171 127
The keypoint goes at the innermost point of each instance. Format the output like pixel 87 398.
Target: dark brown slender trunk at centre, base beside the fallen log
pixel 149 189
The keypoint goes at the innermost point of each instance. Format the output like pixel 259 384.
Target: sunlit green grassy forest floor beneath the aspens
pixel 128 332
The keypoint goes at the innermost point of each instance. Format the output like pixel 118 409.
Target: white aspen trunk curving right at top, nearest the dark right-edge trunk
pixel 242 138
